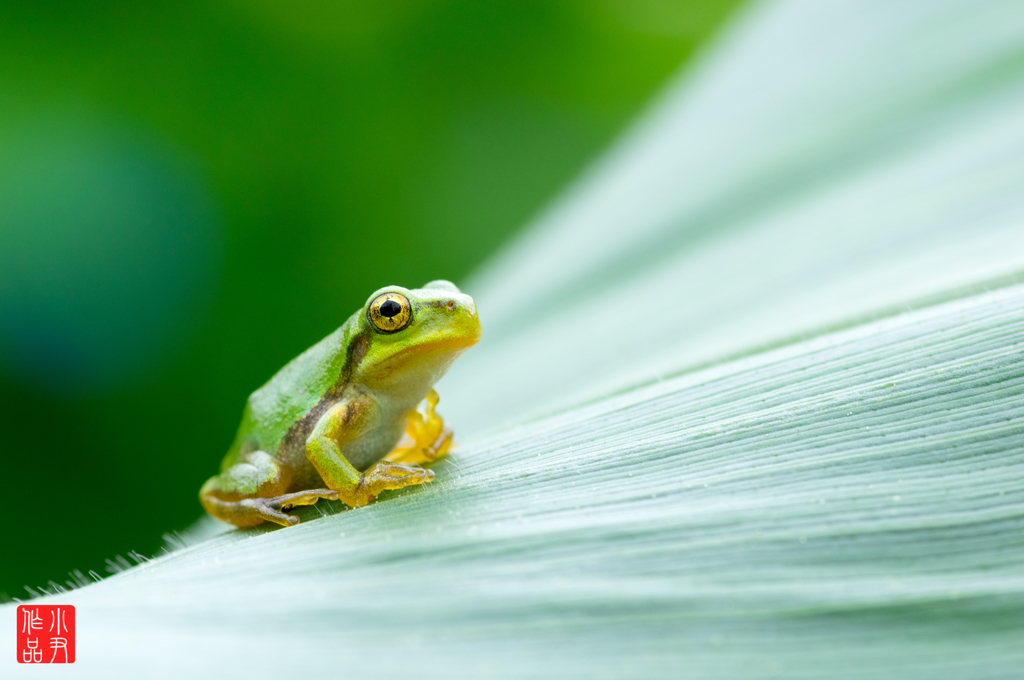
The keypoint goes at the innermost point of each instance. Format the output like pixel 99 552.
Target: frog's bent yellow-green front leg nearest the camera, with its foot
pixel 344 423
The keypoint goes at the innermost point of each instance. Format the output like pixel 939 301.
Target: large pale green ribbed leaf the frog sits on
pixel 749 404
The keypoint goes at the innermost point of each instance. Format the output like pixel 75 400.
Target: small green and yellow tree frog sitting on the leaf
pixel 353 416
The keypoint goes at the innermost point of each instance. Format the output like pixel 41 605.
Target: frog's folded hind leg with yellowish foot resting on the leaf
pixel 250 493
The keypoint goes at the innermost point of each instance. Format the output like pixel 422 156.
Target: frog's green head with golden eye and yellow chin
pixel 413 336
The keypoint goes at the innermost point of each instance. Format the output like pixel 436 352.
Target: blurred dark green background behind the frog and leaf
pixel 193 194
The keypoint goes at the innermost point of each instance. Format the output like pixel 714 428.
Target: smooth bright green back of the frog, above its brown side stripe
pixel 290 395
